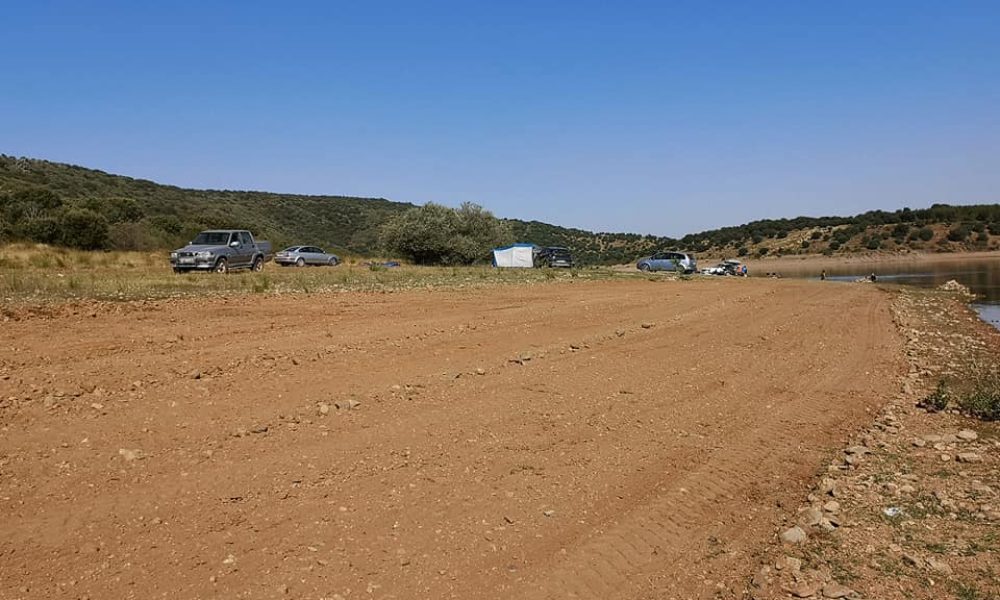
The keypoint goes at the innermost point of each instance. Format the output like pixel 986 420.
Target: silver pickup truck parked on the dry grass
pixel 220 250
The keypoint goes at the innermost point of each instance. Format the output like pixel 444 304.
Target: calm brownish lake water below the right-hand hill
pixel 981 274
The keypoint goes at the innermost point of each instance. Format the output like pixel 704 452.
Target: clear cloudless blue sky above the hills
pixel 651 117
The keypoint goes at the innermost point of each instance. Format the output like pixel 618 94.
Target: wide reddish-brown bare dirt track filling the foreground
pixel 583 439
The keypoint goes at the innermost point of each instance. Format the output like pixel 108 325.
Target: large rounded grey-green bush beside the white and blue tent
pixel 436 234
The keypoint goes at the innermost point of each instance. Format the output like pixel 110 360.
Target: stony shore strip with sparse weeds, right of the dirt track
pixel 910 507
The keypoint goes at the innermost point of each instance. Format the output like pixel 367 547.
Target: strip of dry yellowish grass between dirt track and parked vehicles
pixel 38 273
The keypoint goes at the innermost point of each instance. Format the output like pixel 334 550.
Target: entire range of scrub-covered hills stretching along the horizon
pixel 46 201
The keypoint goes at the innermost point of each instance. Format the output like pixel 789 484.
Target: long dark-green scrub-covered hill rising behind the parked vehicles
pixel 143 215
